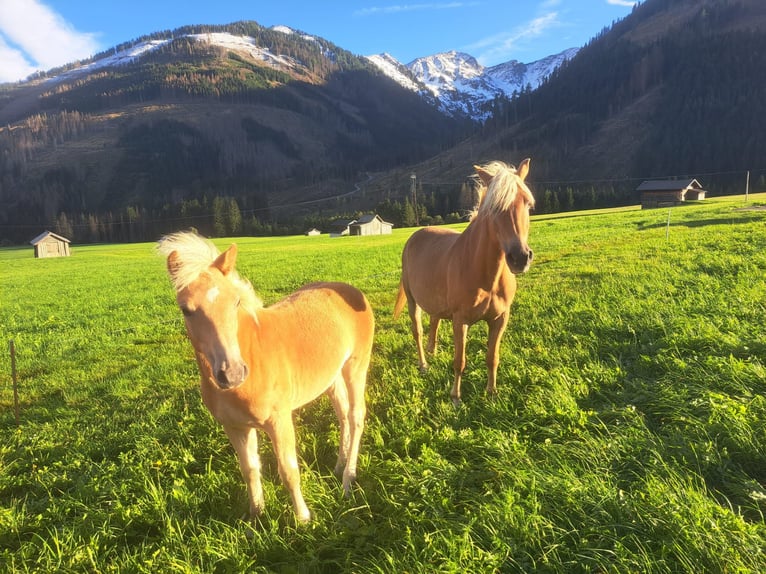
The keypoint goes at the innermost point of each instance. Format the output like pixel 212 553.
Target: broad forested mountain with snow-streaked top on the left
pixel 192 133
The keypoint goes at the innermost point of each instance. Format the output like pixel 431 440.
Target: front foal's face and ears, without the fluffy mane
pixel 210 302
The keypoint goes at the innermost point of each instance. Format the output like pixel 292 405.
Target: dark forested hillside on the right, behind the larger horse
pixel 672 90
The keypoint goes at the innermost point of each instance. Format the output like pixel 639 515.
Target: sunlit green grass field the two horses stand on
pixel 629 434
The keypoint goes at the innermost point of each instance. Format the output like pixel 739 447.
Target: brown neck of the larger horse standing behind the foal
pixel 484 254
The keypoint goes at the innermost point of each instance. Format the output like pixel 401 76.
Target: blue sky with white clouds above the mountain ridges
pixel 42 34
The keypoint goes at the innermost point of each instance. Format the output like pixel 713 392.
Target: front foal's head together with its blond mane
pixel 211 295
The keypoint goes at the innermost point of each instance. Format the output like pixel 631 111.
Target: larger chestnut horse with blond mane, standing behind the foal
pixel 469 276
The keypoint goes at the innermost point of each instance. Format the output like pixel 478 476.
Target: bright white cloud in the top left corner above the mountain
pixel 35 37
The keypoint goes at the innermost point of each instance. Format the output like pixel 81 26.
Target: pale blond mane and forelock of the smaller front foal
pixel 195 254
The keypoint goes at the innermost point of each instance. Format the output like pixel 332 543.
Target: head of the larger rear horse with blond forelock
pixel 507 201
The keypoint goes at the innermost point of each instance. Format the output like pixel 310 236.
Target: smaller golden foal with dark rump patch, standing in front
pixel 258 364
